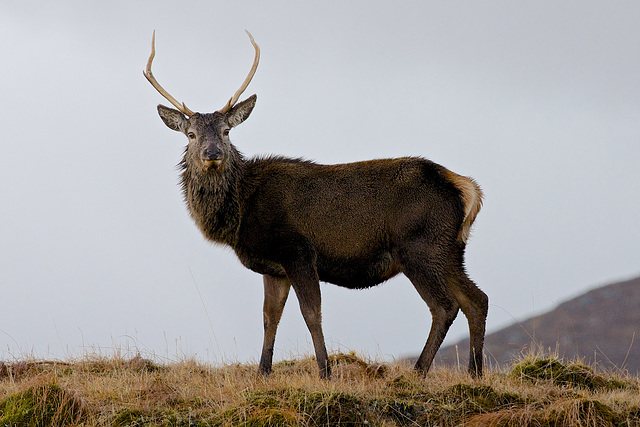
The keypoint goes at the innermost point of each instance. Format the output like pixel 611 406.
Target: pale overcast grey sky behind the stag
pixel 538 101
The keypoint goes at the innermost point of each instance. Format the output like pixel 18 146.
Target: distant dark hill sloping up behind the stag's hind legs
pixel 601 326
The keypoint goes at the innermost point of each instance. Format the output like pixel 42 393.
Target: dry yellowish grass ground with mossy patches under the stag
pixel 114 391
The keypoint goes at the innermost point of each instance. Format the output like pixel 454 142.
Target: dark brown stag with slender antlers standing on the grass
pixel 354 225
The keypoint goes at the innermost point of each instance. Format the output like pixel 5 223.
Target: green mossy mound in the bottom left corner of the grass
pixel 45 405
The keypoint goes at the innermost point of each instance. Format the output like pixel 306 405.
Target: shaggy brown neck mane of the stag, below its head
pixel 212 197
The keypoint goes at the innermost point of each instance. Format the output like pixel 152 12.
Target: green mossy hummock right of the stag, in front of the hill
pixel 573 375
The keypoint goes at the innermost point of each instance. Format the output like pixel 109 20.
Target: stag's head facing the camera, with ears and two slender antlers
pixel 208 134
